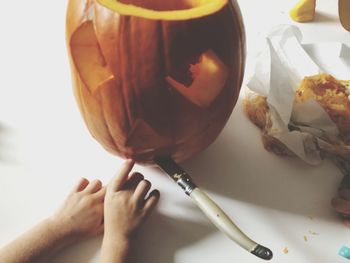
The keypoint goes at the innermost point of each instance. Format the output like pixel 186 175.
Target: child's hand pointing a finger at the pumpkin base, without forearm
pixel 126 203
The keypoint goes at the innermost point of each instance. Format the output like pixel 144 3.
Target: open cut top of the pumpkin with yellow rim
pixel 165 9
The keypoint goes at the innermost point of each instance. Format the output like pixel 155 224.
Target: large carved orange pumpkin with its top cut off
pixel 155 78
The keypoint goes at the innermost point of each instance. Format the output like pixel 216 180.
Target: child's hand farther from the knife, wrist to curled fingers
pixel 81 214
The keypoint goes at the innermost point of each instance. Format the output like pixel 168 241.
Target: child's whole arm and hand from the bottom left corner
pixel 80 216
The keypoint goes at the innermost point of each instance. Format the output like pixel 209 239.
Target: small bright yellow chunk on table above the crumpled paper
pixel 304 11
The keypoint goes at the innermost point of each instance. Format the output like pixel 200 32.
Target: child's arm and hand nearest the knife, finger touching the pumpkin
pixel 126 208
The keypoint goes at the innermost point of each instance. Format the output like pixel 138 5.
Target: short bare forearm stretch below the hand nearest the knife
pixel 116 250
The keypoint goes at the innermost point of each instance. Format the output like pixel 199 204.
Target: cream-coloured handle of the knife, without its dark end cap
pixel 219 218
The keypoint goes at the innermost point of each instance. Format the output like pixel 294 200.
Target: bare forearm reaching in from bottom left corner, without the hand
pixel 36 245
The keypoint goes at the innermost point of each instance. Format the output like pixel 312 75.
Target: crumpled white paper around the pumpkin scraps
pixel 279 70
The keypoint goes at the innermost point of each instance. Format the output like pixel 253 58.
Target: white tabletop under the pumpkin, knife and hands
pixel 45 148
